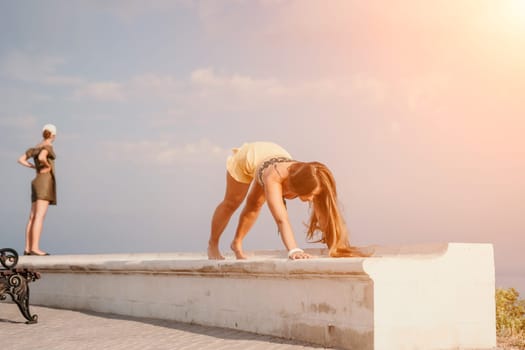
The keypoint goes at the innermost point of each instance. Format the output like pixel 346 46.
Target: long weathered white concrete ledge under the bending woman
pixel 417 297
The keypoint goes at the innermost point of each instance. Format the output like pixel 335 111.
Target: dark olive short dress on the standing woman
pixel 43 185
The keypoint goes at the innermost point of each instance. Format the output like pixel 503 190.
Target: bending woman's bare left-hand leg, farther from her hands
pixel 233 197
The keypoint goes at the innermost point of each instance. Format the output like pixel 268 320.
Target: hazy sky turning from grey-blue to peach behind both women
pixel 417 107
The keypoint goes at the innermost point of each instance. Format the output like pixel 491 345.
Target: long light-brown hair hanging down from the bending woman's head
pixel 326 216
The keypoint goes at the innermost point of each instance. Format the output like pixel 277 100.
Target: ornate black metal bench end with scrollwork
pixel 15 282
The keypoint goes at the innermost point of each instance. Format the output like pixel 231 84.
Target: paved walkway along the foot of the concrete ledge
pixel 73 330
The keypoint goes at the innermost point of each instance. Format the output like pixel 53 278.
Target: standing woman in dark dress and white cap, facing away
pixel 43 187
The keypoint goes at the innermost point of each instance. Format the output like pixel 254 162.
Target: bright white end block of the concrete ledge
pixel 446 301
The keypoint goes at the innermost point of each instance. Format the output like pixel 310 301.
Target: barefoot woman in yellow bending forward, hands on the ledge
pixel 278 177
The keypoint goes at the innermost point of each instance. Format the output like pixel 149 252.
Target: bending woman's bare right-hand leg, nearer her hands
pixel 248 216
